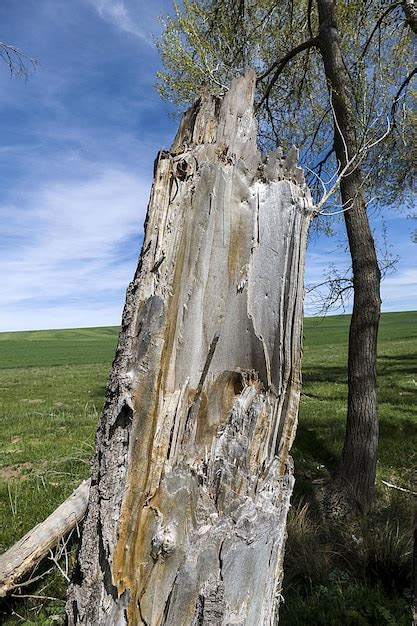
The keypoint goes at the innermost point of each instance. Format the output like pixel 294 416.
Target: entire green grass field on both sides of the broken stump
pixel 52 387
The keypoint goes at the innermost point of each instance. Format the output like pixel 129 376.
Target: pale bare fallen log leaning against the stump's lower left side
pixel 24 555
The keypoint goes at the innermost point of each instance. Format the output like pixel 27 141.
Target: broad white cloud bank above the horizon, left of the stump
pixel 69 250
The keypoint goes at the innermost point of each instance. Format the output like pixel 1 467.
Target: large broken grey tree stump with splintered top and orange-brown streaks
pixel 192 478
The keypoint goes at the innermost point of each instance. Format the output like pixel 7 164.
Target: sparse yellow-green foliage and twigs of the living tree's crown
pixel 211 41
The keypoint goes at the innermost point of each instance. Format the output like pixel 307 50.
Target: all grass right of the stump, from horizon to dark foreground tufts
pixel 331 578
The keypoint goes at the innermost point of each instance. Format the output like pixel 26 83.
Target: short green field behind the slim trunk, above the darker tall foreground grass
pixel 324 393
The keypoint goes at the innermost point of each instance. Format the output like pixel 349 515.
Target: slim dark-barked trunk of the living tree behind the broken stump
pixel 356 477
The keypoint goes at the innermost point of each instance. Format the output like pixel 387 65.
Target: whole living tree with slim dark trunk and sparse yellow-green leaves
pixel 334 92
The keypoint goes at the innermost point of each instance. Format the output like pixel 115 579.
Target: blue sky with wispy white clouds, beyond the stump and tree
pixel 78 141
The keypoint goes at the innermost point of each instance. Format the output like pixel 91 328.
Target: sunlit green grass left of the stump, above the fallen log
pixel 52 387
